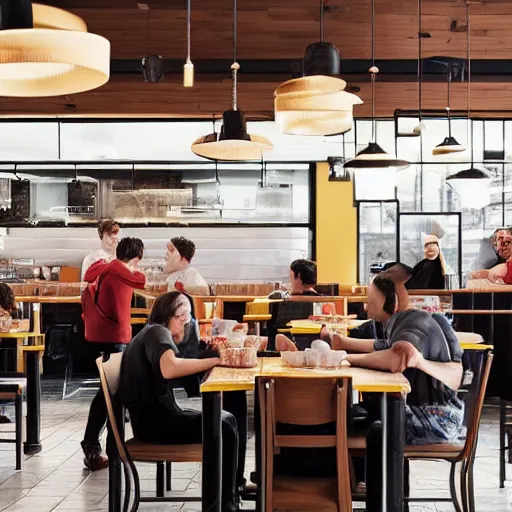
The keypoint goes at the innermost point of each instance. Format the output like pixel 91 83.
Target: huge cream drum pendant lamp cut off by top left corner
pixel 45 51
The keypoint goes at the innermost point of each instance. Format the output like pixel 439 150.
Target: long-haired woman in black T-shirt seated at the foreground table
pixel 149 366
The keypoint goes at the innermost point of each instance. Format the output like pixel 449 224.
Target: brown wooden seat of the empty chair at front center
pixel 299 493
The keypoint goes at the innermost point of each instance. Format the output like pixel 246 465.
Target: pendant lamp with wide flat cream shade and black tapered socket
pixel 233 143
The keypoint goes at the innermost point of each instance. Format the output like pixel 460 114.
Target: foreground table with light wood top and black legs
pixel 229 379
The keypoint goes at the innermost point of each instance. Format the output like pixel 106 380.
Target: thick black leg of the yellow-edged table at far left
pixel 33 444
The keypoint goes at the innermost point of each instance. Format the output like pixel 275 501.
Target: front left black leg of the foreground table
pixel 212 452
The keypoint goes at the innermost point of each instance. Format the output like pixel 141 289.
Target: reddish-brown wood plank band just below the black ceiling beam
pixel 131 96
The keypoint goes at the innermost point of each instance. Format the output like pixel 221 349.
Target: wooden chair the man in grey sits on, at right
pixel 451 452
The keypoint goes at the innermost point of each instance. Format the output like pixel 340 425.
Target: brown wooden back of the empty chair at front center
pixel 304 402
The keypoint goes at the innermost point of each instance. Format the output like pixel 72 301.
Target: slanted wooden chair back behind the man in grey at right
pixel 475 405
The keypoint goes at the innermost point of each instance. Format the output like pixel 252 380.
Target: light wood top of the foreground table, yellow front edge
pixel 363 380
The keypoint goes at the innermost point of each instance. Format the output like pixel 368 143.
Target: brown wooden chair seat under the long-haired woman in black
pixel 152 452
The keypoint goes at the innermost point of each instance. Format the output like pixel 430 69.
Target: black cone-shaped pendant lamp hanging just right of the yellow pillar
pixel 373 156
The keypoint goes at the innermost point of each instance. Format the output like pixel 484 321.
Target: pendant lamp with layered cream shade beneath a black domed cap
pixel 316 104
